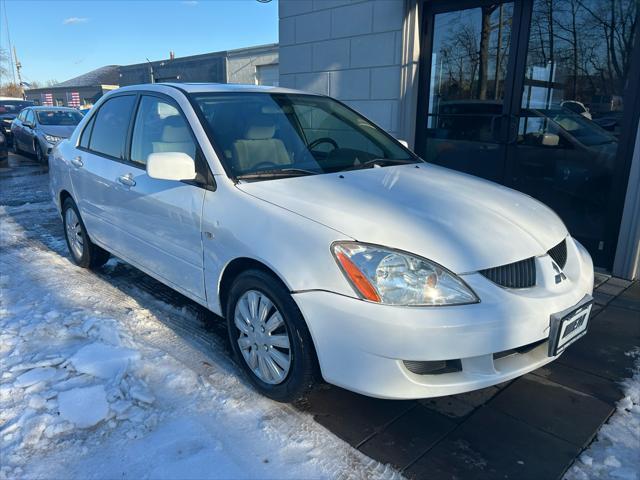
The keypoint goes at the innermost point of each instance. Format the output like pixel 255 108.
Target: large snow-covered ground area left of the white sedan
pixel 98 383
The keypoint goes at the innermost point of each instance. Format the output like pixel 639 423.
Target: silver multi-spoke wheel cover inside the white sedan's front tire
pixel 263 337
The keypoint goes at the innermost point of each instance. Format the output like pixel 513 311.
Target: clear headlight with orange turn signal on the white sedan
pixel 391 277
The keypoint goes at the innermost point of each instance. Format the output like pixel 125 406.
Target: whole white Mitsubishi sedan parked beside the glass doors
pixel 330 248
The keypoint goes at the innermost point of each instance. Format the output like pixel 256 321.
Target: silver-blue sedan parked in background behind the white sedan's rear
pixel 37 130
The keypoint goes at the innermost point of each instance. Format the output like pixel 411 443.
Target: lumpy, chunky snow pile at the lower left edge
pixel 60 376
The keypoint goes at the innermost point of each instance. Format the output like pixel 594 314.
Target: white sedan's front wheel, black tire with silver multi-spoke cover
pixel 269 337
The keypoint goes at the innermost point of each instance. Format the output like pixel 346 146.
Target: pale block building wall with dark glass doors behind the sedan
pixel 539 95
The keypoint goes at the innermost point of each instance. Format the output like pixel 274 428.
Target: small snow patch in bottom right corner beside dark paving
pixel 615 454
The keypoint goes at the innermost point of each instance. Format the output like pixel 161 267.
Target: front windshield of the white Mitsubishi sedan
pixel 292 134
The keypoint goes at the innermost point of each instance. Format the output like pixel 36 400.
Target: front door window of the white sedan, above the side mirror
pixel 159 127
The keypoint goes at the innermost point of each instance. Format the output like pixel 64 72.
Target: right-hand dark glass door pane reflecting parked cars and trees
pixel 578 62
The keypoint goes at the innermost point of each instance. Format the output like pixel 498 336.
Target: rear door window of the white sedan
pixel 109 135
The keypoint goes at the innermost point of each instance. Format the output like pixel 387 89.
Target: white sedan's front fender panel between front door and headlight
pixel 238 225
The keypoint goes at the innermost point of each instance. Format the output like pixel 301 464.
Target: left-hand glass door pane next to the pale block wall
pixel 465 120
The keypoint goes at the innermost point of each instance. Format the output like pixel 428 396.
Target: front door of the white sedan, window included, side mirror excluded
pixel 161 219
